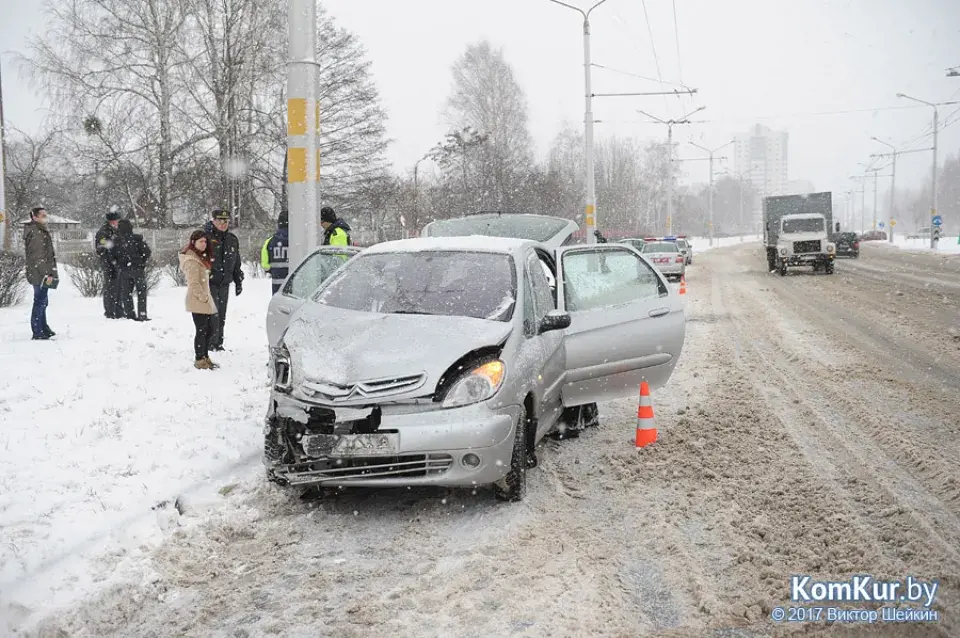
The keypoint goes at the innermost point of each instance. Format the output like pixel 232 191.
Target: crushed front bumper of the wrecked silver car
pixel 459 447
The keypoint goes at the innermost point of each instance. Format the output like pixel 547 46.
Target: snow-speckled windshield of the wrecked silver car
pixel 450 283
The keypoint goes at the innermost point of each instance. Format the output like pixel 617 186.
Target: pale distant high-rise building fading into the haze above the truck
pixel 761 159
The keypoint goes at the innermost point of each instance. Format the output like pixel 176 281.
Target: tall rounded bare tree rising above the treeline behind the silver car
pixel 487 98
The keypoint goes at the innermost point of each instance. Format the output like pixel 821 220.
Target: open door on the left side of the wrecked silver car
pixel 301 283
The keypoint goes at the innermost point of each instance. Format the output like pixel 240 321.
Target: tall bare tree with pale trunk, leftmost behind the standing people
pixel 121 54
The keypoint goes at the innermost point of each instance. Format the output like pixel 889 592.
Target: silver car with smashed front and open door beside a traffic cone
pixel 445 360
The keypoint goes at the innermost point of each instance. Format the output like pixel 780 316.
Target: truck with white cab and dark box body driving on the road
pixel 796 232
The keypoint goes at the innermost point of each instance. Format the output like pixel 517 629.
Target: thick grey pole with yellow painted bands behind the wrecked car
pixel 303 128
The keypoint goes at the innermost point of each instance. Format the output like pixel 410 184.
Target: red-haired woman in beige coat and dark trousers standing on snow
pixel 195 264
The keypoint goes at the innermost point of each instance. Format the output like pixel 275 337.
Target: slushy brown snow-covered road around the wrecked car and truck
pixel 811 428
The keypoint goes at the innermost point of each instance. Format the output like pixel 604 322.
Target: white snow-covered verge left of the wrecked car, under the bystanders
pixel 104 422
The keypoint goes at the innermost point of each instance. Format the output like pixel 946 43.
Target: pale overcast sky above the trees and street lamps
pixel 775 62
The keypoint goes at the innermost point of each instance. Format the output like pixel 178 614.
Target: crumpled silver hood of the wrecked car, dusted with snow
pixel 331 345
